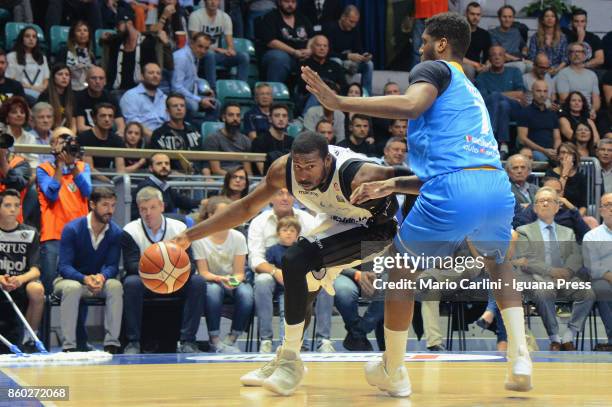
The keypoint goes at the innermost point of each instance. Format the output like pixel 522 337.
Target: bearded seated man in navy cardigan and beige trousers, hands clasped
pixel 88 266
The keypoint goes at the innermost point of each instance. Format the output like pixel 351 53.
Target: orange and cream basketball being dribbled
pixel 164 267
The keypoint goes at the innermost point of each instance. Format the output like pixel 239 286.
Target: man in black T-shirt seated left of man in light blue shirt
pixel 93 94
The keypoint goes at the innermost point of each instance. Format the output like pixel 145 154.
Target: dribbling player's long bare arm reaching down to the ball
pixel 241 210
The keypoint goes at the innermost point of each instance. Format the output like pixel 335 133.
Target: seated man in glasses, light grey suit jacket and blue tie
pixel 553 257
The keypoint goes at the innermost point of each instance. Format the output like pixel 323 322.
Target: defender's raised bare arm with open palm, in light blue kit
pixel 418 98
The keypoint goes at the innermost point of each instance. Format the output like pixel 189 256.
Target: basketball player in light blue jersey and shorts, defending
pixel 464 195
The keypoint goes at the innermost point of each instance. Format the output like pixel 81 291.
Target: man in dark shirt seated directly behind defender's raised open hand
pixel 326 68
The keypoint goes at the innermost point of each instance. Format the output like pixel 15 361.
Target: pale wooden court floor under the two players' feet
pixel 451 379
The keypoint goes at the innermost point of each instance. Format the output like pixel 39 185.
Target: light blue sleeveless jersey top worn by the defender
pixel 454 133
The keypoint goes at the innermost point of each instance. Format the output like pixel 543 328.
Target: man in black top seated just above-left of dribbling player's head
pixel 274 142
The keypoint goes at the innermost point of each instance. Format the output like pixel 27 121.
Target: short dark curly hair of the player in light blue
pixel 452 26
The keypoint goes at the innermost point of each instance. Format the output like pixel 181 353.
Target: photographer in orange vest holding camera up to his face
pixel 63 188
